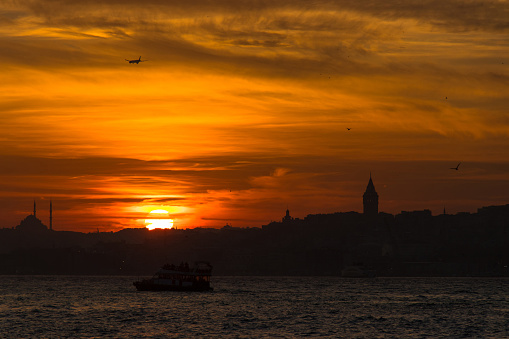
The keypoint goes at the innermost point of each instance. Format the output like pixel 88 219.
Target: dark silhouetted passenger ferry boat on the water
pixel 178 278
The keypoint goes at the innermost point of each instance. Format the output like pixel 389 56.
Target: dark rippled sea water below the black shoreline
pixel 255 307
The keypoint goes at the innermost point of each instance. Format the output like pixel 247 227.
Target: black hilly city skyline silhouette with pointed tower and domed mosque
pixel 411 243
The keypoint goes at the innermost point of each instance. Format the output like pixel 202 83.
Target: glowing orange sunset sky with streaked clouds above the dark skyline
pixel 242 108
